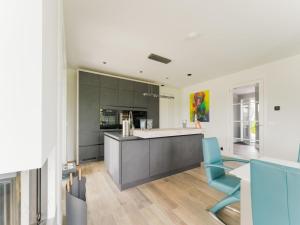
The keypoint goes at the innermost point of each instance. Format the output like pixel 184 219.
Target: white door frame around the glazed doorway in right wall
pixel 261 114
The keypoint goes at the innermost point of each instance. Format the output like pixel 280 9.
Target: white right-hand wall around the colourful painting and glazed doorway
pixel 281 86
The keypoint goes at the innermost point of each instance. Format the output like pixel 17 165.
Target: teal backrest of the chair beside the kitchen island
pixel 212 155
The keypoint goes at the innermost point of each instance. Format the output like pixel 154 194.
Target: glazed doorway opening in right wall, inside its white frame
pixel 246 120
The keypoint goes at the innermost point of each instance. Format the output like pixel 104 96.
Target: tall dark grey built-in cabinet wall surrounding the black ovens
pixel 101 91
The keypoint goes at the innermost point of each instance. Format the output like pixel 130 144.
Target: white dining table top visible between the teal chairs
pixel 243 171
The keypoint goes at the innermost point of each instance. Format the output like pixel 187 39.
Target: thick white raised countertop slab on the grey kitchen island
pixel 156 133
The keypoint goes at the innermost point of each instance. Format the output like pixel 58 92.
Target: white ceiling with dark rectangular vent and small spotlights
pixel 208 38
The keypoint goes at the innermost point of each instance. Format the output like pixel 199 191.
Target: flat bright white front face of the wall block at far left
pixel 20 85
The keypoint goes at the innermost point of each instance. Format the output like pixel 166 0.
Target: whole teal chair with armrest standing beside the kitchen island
pixel 217 177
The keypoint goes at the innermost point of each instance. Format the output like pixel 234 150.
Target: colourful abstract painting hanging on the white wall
pixel 199 106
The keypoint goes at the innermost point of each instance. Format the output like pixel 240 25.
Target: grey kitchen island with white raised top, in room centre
pixel 134 160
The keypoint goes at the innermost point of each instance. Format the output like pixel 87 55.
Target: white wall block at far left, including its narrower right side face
pixel 31 80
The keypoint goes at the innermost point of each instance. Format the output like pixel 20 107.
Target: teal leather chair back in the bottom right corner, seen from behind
pixel 275 194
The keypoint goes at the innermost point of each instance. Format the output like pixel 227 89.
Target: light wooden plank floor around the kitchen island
pixel 180 199
